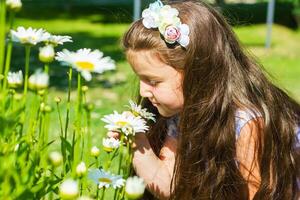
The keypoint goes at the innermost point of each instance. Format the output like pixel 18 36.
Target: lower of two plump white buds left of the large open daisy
pixel 38 80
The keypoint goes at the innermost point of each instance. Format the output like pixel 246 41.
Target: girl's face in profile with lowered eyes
pixel 159 82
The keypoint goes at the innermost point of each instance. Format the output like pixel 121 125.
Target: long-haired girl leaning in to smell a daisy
pixel 223 130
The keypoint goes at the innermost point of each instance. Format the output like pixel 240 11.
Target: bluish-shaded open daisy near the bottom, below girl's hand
pixel 105 179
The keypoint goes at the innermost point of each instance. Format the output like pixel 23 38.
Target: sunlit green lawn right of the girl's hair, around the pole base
pixel 282 60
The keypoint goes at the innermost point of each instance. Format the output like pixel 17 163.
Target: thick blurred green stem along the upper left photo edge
pixel 2 33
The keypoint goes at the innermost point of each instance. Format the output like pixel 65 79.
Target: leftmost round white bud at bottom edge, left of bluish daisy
pixel 69 189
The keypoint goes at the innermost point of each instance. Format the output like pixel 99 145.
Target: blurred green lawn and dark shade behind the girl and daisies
pixel 101 24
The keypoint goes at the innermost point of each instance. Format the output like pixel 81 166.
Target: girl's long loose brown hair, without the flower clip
pixel 220 78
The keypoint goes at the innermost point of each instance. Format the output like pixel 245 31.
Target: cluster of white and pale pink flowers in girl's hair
pixel 166 19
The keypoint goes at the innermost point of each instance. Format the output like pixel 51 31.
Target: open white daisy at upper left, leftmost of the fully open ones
pixel 28 36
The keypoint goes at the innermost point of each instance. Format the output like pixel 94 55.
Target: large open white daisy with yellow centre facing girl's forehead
pixel 86 61
